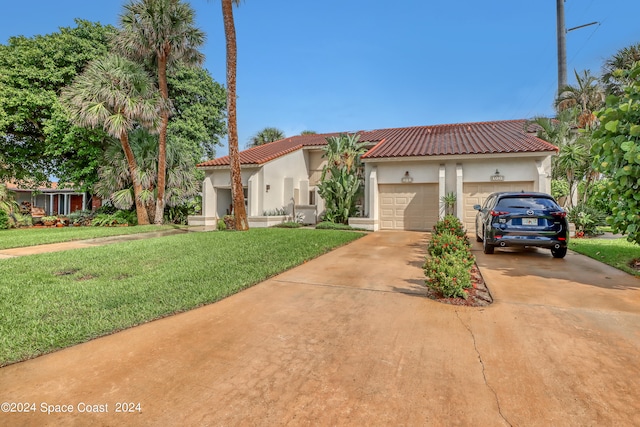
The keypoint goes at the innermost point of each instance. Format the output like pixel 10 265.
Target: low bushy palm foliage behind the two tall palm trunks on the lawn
pixel 115 181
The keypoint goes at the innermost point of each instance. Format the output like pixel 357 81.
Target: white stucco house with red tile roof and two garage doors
pixel 407 173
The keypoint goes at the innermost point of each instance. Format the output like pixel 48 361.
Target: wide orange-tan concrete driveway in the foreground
pixel 348 339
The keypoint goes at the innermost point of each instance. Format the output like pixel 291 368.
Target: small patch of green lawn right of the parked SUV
pixel 618 253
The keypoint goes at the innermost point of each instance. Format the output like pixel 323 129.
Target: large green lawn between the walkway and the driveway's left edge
pixel 56 300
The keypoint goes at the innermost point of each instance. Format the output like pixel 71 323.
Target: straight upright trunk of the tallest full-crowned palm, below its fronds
pixel 162 140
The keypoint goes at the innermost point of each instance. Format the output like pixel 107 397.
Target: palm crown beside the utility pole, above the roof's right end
pixel 588 96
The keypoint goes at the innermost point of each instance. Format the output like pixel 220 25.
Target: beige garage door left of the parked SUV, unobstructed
pixel 408 206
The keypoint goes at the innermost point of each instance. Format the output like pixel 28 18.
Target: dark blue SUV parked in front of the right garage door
pixel 522 219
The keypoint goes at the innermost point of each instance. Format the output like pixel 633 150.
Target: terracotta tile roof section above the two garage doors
pixel 455 139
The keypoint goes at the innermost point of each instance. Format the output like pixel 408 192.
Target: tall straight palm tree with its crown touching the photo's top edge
pixel 161 32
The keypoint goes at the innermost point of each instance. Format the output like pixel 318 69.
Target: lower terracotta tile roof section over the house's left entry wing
pixel 267 152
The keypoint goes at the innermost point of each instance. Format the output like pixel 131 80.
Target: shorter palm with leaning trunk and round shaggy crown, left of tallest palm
pixel 117 94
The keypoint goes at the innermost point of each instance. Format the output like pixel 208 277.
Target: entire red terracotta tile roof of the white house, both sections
pixel 455 139
